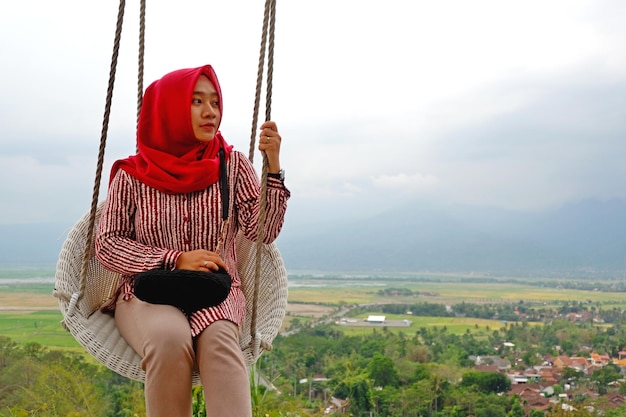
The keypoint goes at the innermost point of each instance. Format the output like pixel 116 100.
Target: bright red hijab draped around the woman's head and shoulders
pixel 169 156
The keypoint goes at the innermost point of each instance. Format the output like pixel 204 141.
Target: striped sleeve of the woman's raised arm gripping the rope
pixel 247 190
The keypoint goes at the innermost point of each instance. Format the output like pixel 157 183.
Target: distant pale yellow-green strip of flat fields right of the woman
pixel 454 290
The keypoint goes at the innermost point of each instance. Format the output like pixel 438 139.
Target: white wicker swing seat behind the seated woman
pixel 96 331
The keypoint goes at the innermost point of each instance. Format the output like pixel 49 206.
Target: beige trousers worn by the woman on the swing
pixel 162 337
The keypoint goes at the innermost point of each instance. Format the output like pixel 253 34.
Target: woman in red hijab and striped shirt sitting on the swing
pixel 163 210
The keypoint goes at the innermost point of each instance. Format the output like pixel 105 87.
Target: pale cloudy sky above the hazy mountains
pixel 490 103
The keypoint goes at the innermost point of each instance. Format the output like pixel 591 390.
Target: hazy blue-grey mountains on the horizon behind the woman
pixel 585 238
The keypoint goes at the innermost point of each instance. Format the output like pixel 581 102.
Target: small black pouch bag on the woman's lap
pixel 188 290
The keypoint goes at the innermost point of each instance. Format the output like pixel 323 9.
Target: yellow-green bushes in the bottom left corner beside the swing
pixel 35 381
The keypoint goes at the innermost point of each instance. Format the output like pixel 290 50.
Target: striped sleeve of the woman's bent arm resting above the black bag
pixel 116 246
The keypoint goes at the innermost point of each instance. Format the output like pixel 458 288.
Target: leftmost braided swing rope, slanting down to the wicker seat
pixel 88 254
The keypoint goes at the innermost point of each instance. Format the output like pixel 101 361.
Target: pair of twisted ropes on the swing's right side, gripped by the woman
pixel 269 19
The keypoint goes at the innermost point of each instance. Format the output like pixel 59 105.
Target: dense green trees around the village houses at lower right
pixel 429 373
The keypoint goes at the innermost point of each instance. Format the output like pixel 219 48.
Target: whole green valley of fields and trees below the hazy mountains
pixel 425 369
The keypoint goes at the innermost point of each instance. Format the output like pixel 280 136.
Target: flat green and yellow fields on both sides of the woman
pixel 41 323
